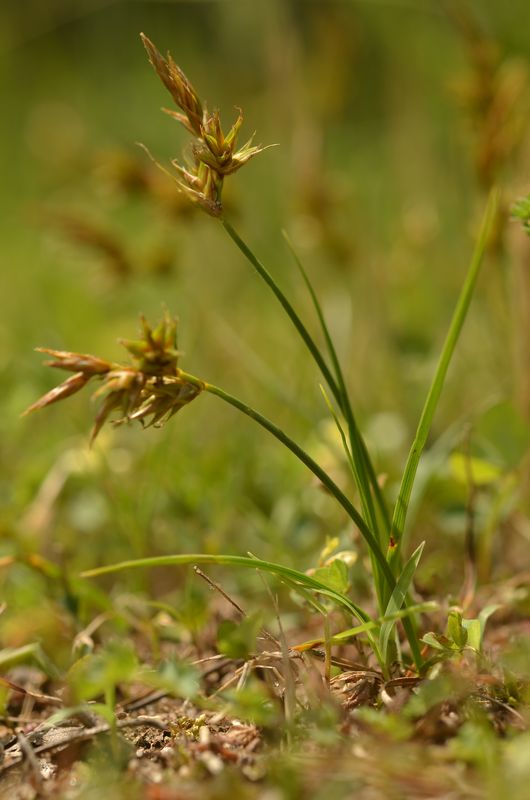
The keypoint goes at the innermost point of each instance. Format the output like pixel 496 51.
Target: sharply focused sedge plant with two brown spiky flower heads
pixel 154 387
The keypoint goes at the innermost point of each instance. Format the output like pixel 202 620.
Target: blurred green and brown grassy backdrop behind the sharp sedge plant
pixel 393 119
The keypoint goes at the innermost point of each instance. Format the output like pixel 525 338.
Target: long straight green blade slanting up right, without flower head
pixel 424 425
